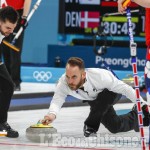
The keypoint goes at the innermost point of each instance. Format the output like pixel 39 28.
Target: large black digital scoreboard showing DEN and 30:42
pixel 84 16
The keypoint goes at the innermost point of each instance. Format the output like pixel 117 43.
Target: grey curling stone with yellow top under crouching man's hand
pixel 40 133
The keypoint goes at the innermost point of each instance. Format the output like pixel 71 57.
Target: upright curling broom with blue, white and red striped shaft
pixel 133 51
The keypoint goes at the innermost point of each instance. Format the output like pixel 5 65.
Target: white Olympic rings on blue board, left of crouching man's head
pixel 42 75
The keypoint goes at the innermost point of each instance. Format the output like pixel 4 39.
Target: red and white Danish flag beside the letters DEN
pixel 89 19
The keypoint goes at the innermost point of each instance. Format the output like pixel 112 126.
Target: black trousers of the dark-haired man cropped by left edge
pixel 6 92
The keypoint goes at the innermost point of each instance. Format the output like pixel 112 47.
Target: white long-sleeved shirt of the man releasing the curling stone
pixel 96 81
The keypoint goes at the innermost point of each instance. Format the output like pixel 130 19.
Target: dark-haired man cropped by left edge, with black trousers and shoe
pixel 8 21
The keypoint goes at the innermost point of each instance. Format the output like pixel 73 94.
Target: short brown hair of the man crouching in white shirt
pixel 76 61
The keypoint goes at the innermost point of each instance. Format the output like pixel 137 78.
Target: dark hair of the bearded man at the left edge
pixel 10 14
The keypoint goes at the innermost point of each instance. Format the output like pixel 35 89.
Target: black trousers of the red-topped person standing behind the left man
pixel 12 59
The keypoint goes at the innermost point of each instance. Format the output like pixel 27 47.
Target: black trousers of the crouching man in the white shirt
pixel 102 111
